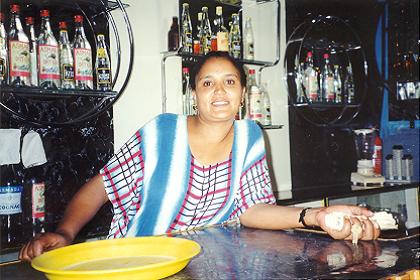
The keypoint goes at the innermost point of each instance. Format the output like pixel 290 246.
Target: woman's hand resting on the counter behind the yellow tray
pixel 42 243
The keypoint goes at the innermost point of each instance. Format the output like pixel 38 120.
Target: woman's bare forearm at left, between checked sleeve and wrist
pixel 83 206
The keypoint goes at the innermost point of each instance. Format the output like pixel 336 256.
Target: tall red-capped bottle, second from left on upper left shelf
pixel 19 51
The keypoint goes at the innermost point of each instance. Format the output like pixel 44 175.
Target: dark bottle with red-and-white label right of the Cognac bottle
pixel 34 201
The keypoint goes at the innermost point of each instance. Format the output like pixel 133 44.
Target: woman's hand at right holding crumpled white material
pixel 354 215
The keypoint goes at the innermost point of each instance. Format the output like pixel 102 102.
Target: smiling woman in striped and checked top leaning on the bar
pixel 181 172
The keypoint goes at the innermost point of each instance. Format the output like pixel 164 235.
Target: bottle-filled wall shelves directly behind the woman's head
pixel 196 36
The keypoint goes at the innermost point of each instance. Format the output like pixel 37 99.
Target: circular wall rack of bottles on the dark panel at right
pixel 325 70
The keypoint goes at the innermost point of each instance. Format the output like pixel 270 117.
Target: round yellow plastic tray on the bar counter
pixel 125 258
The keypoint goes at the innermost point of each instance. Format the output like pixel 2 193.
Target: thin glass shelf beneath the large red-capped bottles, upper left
pixel 36 92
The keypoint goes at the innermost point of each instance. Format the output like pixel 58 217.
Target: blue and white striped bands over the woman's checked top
pixel 167 160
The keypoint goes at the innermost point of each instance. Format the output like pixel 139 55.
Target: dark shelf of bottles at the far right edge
pixel 404 60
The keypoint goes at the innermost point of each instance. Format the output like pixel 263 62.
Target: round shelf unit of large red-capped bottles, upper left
pixel 56 54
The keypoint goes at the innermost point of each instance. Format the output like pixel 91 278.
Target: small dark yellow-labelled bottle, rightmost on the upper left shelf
pixel 102 65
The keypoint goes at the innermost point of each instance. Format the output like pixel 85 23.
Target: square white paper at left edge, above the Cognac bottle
pixel 9 146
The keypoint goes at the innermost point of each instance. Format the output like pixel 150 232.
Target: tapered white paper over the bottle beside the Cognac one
pixel 33 153
